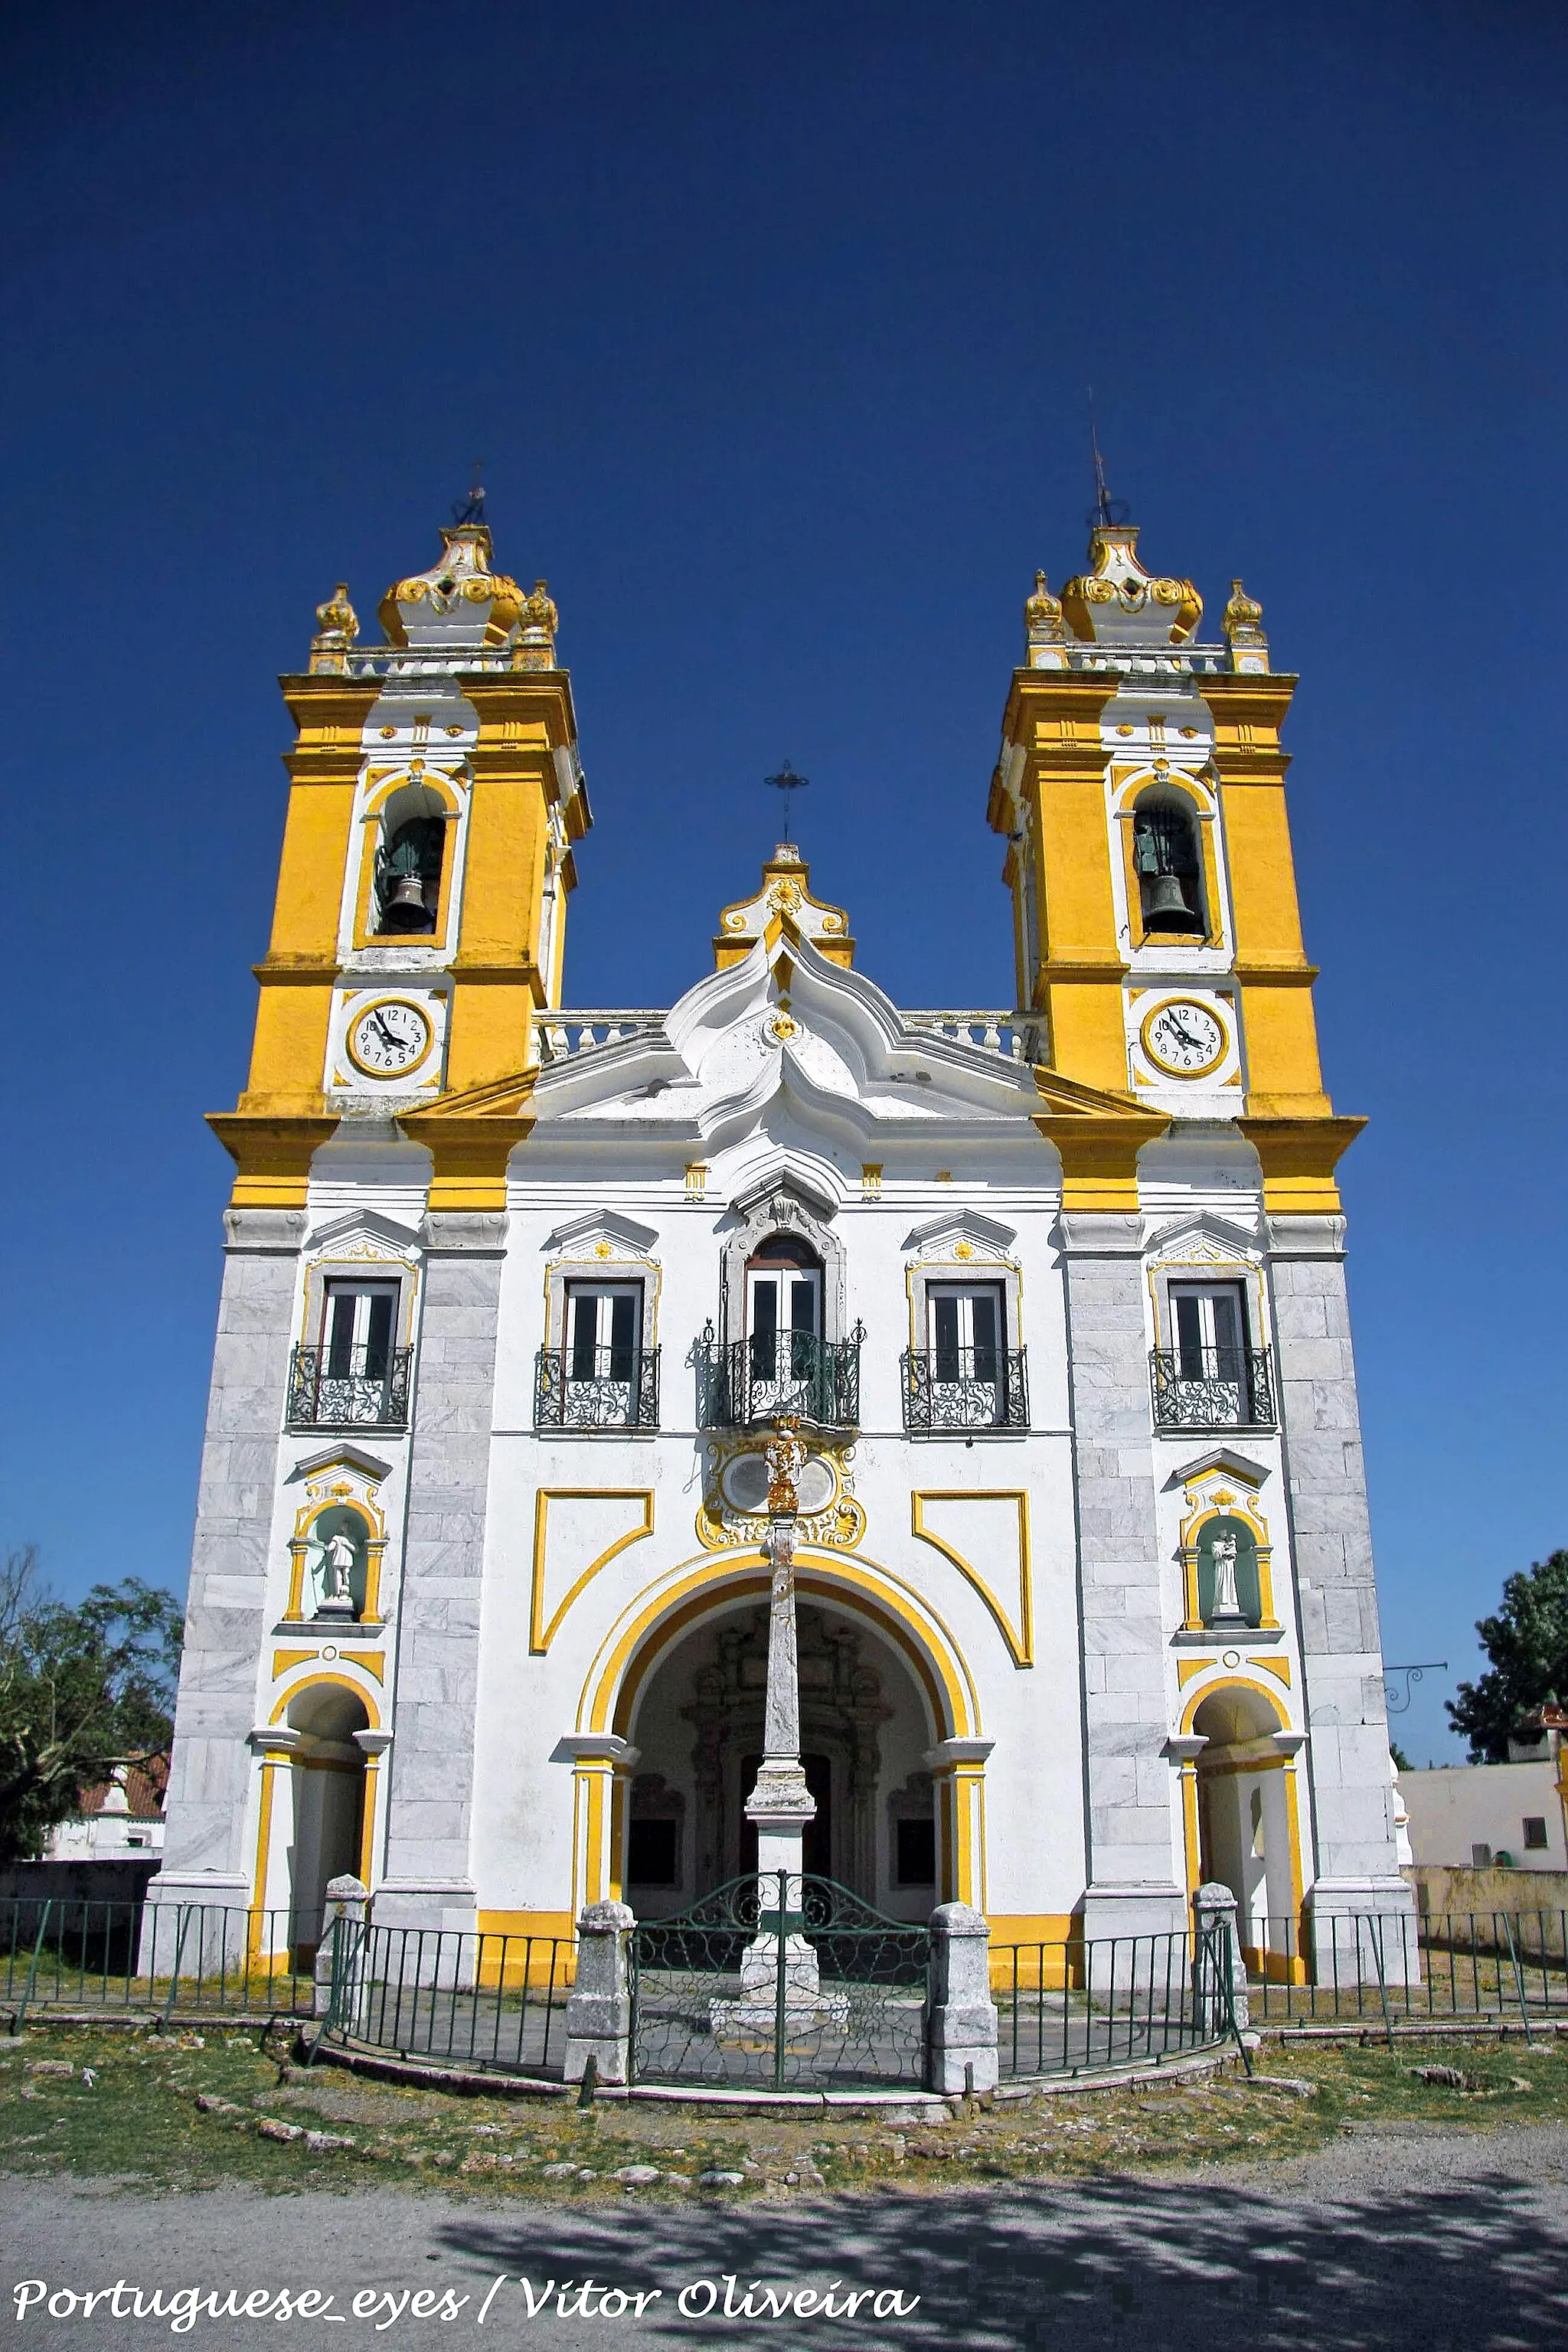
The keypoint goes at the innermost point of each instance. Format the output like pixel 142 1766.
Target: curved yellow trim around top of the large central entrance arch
pixel 697 1586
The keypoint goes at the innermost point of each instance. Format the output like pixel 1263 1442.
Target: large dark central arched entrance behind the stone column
pixel 864 1739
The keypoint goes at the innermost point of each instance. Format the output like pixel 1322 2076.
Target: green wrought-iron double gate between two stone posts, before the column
pixel 751 1989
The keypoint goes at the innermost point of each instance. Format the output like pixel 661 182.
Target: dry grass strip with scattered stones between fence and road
pixel 128 2111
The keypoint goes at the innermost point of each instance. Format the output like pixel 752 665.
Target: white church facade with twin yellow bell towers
pixel 516 1299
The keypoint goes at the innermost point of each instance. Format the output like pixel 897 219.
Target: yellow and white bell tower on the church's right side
pixel 1141 791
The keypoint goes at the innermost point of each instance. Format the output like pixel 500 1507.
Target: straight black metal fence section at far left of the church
pixel 170 1958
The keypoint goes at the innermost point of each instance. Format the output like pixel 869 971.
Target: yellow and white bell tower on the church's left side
pixel 436 799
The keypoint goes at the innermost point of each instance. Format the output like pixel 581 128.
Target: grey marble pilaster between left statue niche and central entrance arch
pixel 429 1880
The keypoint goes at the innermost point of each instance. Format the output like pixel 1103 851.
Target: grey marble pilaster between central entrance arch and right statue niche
pixel 1130 1784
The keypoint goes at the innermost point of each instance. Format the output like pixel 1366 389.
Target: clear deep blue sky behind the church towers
pixel 772 326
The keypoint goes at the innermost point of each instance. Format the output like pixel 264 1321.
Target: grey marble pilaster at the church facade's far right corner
pixel 1348 1758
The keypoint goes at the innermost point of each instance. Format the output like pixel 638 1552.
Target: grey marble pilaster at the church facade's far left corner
pixel 227 1612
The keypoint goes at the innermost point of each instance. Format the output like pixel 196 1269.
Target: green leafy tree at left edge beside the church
pixel 81 1690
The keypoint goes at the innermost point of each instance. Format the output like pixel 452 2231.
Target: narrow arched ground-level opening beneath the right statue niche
pixel 1247 1822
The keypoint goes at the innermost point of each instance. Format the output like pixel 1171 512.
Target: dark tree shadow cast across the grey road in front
pixel 1473 2259
